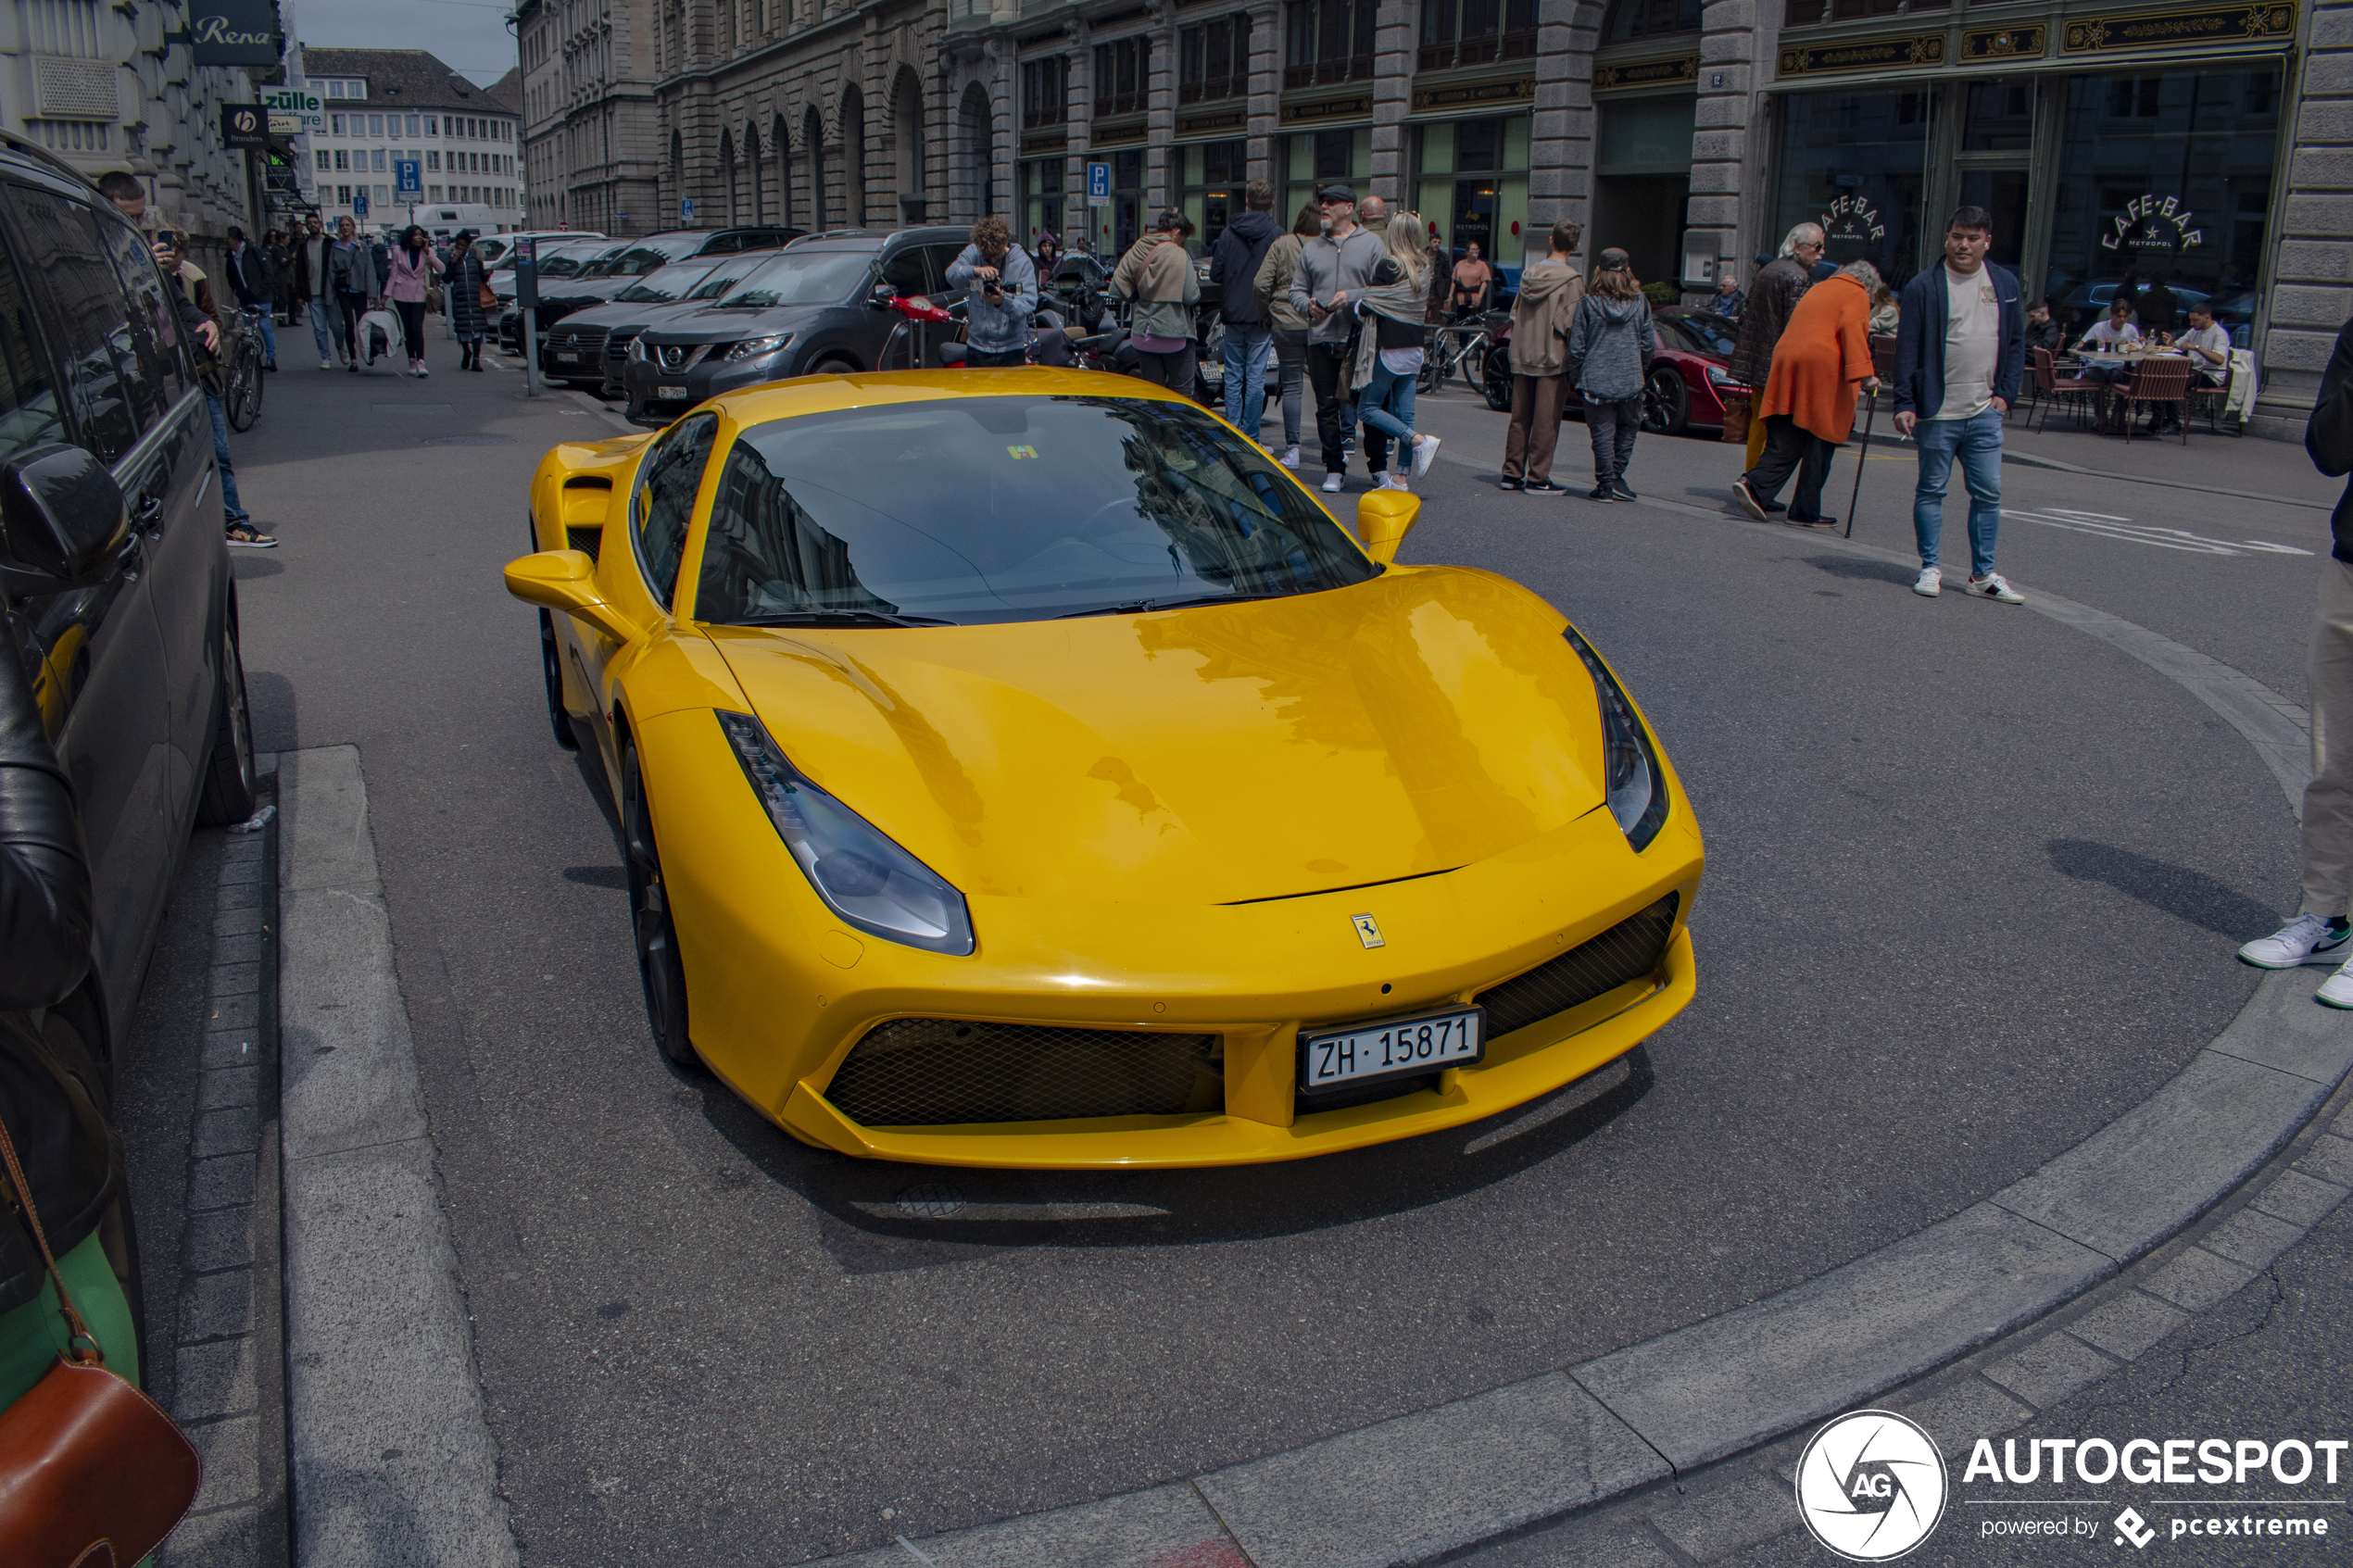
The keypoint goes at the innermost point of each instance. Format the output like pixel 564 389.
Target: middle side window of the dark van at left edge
pixel 93 319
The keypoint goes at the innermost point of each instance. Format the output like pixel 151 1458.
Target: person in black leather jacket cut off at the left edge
pixel 72 1160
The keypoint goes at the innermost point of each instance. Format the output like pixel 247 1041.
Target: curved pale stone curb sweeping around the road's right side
pixel 1726 1386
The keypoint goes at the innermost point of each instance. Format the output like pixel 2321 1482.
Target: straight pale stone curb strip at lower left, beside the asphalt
pixel 392 1452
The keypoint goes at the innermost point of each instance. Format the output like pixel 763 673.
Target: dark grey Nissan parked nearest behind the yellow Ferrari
pixel 811 309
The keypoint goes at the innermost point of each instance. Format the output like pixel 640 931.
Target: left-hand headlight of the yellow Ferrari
pixel 862 876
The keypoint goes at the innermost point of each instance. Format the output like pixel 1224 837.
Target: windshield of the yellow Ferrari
pixel 1008 509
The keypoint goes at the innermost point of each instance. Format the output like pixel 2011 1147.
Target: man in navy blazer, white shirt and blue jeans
pixel 1961 349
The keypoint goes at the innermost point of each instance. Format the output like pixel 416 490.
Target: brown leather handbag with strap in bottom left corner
pixel 93 1473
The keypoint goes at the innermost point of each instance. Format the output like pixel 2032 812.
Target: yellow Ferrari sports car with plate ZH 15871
pixel 1022 770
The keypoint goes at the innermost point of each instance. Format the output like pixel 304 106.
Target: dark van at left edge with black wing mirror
pixel 114 575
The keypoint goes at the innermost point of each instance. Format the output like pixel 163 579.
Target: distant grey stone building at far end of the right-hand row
pixel 592 135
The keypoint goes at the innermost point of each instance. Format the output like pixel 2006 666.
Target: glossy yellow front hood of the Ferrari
pixel 1408 725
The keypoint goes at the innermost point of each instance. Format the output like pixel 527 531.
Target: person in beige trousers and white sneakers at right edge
pixel 2319 932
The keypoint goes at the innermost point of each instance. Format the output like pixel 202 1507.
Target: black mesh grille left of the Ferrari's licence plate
pixel 942 1071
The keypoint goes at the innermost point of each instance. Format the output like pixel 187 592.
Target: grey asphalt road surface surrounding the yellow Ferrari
pixel 1973 892
